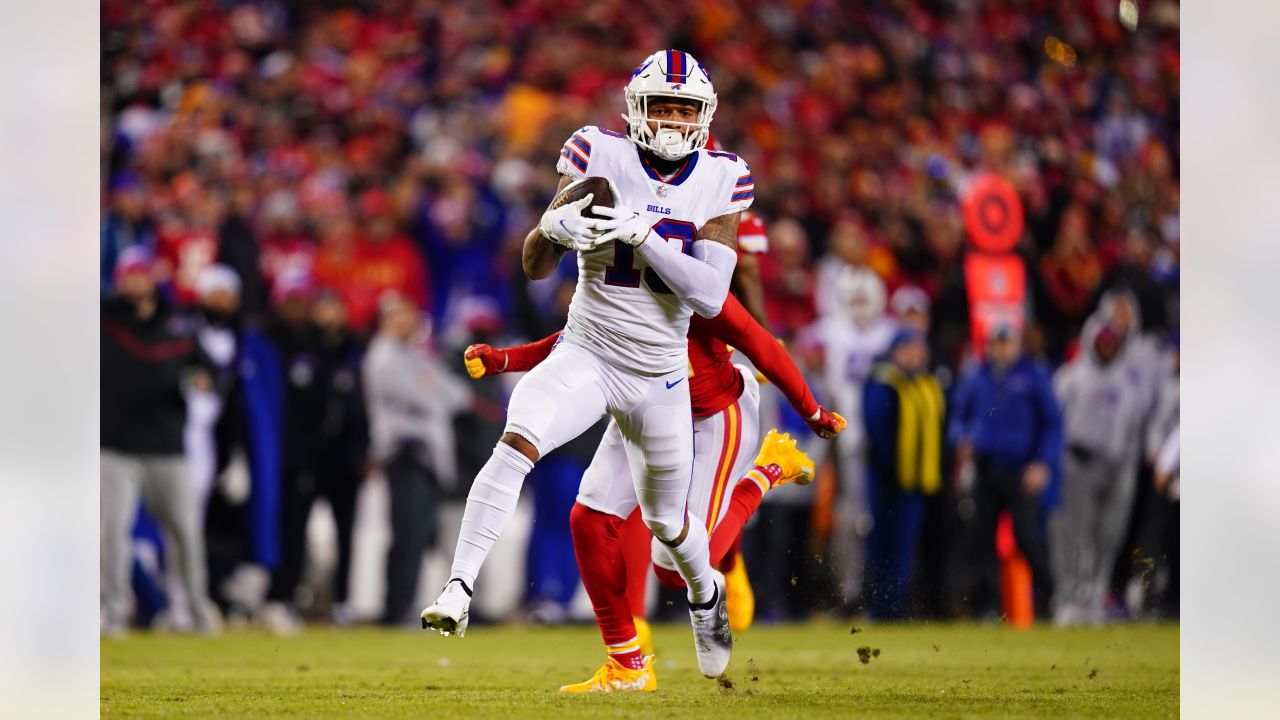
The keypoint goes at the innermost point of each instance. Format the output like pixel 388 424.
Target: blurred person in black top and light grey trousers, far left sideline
pixel 150 361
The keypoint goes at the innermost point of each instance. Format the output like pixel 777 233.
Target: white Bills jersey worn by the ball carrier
pixel 621 308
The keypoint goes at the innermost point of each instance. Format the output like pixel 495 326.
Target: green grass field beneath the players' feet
pixel 810 671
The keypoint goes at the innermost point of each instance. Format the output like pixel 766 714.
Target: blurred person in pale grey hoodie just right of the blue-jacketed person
pixel 1107 398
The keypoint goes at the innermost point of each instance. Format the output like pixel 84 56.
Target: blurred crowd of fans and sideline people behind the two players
pixel 310 208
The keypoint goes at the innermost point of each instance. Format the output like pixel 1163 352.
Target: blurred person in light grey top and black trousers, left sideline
pixel 412 402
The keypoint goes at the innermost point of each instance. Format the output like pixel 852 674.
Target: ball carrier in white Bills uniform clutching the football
pixel 664 252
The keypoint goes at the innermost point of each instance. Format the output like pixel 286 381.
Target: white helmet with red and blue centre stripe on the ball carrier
pixel 670 74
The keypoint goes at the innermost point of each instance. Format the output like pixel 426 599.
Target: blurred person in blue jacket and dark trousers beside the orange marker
pixel 1007 422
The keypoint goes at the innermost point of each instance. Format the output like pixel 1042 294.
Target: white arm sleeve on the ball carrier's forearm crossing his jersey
pixel 702 280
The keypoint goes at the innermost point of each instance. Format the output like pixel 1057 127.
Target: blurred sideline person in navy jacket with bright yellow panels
pixel 903 416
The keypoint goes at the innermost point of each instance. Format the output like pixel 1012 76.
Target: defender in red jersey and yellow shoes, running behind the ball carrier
pixel 725 407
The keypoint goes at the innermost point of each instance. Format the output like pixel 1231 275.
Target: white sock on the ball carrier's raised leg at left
pixel 490 507
